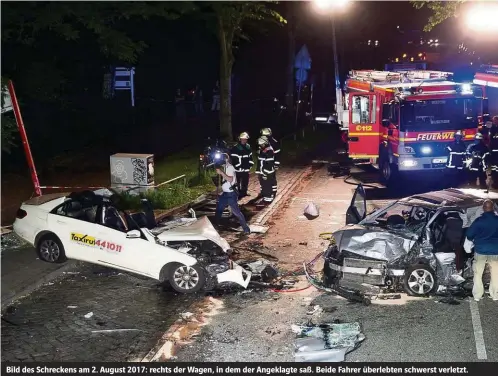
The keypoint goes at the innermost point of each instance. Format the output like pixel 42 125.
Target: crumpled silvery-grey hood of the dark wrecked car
pixel 375 242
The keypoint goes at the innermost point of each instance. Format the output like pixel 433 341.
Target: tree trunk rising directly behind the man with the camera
pixel 226 64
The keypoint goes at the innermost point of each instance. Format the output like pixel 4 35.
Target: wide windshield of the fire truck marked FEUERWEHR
pixel 440 114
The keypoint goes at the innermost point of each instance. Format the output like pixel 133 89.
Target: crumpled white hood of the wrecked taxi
pixel 190 230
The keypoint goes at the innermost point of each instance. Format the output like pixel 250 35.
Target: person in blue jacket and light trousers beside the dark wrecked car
pixel 484 234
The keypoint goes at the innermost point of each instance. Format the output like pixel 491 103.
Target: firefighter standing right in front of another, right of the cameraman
pixel 266 170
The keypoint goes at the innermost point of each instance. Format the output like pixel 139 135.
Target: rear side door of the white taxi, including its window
pixel 69 223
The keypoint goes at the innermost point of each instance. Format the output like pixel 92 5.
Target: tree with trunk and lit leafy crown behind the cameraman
pixel 228 20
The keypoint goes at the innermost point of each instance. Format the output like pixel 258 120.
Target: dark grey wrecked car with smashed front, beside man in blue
pixel 414 244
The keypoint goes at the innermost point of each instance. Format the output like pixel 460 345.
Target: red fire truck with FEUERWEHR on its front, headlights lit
pixel 402 121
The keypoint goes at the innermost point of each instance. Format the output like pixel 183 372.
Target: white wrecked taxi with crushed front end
pixel 188 253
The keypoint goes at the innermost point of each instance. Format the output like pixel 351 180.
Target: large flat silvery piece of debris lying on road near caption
pixel 329 342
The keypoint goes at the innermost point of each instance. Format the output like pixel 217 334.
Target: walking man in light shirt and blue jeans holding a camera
pixel 228 196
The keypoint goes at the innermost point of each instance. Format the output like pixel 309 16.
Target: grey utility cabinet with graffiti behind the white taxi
pixel 133 173
